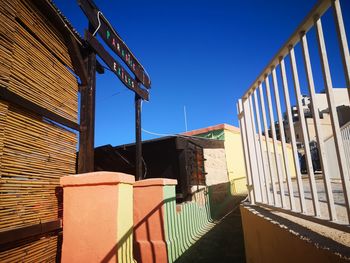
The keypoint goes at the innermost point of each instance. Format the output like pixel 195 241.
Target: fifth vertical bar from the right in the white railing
pixel 292 135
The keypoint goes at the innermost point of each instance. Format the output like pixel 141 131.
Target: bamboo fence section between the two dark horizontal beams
pixel 35 155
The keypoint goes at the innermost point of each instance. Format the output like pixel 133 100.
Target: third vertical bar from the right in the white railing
pixel 315 114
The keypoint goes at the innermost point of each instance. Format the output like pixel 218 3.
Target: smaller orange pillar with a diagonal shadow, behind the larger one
pixel 149 220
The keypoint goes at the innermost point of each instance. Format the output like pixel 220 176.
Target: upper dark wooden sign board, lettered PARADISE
pixel 113 40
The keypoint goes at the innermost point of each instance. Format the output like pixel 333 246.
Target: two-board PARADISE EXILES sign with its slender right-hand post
pixel 109 35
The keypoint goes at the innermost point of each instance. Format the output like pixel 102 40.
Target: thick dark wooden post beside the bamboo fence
pixel 87 117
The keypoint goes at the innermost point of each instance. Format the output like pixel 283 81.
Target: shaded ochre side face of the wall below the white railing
pixel 267 241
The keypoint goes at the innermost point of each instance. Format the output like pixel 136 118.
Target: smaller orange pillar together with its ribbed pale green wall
pixel 163 231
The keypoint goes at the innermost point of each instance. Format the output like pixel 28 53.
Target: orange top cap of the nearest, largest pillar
pixel 96 178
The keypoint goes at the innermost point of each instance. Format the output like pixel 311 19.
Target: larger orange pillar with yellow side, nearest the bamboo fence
pixel 97 217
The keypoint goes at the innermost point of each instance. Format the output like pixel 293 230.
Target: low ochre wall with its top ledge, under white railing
pixel 266 239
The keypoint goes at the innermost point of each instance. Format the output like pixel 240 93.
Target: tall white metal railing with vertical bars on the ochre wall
pixel 275 179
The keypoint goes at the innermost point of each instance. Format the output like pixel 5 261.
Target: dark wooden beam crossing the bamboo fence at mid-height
pixel 13 98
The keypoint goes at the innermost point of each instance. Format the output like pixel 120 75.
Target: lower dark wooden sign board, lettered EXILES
pixel 114 66
